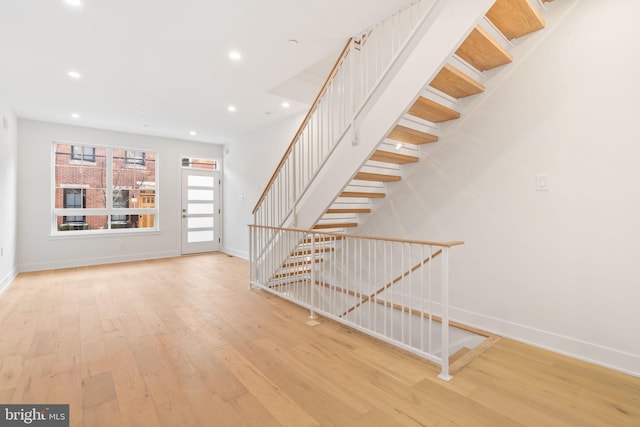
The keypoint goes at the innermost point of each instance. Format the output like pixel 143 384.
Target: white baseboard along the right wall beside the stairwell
pixel 589 352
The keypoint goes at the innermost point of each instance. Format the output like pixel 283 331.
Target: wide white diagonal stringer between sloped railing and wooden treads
pixel 445 27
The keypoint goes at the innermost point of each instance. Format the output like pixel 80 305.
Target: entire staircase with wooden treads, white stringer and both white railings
pixel 342 162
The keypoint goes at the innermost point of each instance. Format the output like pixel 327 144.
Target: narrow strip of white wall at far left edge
pixel 8 195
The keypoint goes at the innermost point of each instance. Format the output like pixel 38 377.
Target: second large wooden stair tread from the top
pixel 481 51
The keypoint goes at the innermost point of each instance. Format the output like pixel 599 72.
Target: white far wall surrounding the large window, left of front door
pixel 38 250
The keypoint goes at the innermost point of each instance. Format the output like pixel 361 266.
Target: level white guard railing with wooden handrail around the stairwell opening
pixel 395 290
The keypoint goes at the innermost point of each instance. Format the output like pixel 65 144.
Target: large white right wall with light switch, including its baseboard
pixel 561 268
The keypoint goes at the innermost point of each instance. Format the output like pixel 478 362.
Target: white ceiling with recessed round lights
pixel 161 67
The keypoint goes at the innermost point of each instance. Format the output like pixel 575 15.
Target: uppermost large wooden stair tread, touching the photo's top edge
pixel 515 18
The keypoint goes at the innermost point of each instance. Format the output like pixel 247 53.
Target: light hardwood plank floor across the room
pixel 184 342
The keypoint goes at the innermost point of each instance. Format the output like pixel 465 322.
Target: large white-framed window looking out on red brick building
pixel 105 193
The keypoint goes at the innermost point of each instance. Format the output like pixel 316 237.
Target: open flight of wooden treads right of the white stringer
pixel 440 102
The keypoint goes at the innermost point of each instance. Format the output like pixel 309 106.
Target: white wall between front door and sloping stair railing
pixel 248 165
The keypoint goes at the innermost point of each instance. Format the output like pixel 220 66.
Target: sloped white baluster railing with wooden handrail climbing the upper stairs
pixel 364 62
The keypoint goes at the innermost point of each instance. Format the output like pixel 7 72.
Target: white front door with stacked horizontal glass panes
pixel 200 211
